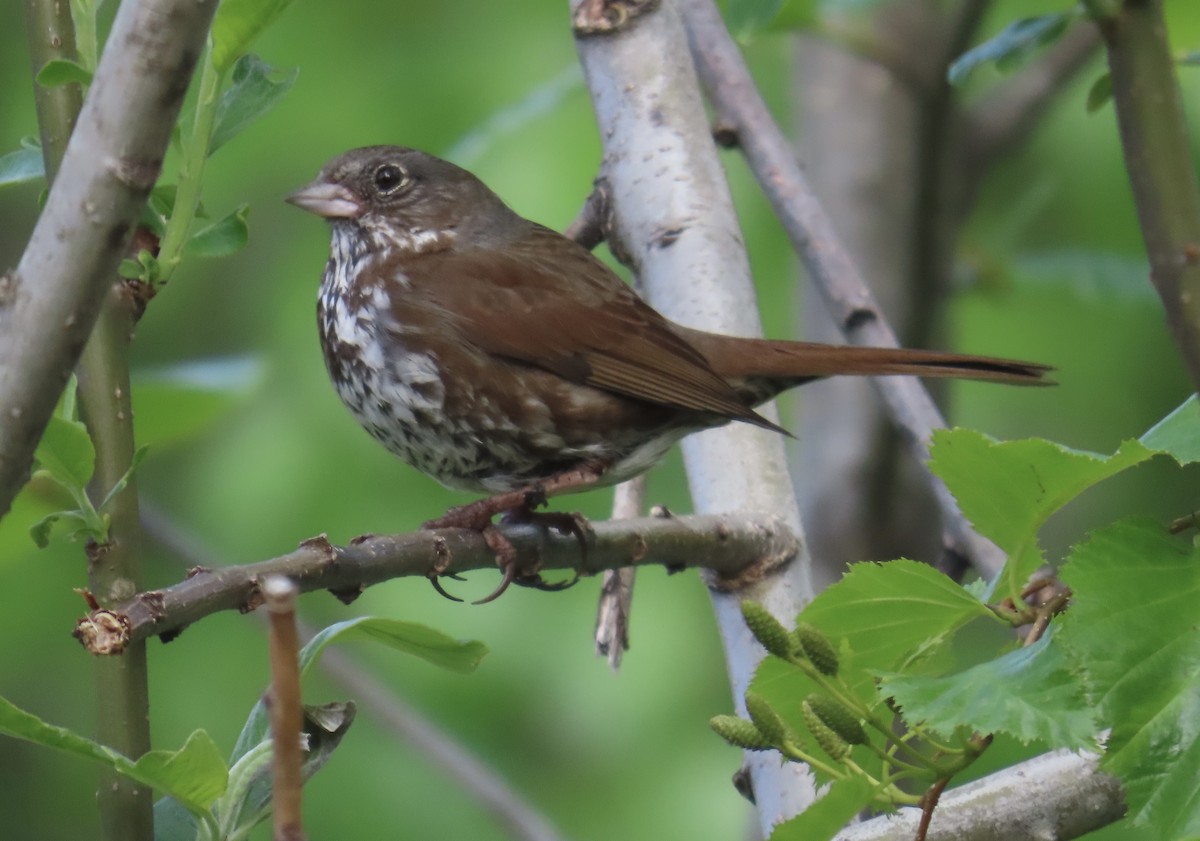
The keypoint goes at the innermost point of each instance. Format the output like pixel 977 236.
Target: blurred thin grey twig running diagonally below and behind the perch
pixel 404 722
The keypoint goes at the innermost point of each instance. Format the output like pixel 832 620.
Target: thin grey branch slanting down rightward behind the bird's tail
pixel 845 292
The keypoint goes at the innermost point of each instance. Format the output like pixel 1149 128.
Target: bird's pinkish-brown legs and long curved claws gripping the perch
pixel 518 507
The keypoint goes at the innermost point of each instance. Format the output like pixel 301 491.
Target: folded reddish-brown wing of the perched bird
pixel 591 329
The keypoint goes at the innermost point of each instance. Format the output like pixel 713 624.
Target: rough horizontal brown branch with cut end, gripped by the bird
pixel 731 546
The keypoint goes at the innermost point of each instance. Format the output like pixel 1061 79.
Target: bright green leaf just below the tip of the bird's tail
pixel 1009 490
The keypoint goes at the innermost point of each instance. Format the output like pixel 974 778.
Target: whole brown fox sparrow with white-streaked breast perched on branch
pixel 500 357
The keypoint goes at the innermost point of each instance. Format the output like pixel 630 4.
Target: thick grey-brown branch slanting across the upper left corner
pixel 51 301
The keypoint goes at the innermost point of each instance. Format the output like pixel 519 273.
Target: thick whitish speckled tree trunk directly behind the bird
pixel 676 223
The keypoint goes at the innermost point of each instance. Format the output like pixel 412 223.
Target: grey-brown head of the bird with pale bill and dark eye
pixel 409 200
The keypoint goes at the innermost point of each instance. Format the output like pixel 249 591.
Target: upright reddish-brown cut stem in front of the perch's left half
pixel 287 714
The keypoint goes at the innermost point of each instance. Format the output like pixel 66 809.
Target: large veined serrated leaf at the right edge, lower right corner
pixel 1132 635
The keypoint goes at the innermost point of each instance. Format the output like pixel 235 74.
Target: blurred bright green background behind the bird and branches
pixel 1058 275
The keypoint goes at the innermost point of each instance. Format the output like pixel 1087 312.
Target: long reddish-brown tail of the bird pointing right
pixel 801 362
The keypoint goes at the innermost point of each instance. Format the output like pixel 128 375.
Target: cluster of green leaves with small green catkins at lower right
pixel 1123 659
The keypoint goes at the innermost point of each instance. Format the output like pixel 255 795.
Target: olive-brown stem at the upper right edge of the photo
pixel 1155 139
